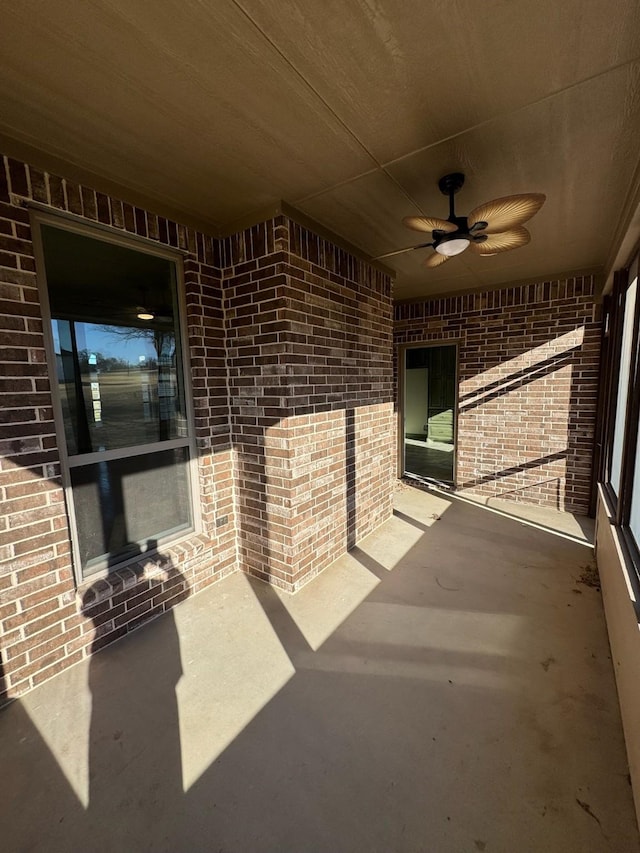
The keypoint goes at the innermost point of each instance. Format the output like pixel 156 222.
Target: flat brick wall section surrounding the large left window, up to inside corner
pixel 46 623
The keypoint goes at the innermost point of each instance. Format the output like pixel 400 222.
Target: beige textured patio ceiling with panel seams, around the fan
pixel 350 112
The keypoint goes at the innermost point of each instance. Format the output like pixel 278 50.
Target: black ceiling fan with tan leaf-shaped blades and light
pixel 496 226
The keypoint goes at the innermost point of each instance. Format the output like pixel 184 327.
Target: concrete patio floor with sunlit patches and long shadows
pixel 445 687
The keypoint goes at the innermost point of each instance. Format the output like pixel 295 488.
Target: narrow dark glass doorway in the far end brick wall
pixel 429 412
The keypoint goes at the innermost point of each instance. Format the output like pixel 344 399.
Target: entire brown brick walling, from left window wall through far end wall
pixel 290 354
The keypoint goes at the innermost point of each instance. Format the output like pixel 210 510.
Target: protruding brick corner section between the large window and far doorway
pixel 310 372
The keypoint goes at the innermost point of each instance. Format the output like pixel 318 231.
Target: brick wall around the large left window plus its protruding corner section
pixel 290 356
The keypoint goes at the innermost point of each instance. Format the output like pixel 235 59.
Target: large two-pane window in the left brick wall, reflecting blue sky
pixel 117 366
